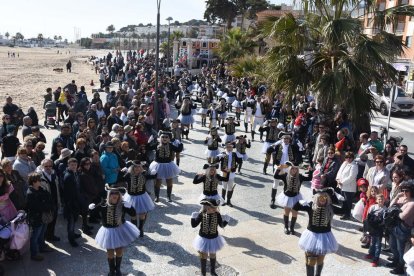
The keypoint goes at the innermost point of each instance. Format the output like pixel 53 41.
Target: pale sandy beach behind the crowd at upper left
pixel 26 78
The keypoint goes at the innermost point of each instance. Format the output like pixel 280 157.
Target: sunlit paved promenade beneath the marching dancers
pixel 256 244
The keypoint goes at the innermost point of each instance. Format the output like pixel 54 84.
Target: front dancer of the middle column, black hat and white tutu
pixel 208 240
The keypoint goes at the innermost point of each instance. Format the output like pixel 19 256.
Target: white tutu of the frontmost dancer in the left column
pixel 121 236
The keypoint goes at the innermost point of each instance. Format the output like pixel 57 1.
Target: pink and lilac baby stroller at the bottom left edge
pixel 14 236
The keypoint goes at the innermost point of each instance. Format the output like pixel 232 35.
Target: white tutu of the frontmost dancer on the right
pixel 318 243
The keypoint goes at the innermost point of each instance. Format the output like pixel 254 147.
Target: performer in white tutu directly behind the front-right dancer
pixel 292 181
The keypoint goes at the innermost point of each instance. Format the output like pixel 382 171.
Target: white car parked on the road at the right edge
pixel 402 104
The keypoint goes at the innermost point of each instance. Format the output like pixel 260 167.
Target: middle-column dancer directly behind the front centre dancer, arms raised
pixel 210 180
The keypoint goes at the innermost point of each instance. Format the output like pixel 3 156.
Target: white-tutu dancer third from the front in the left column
pixel 163 165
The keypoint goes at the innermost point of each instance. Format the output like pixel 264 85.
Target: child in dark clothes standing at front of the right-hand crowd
pixel 375 227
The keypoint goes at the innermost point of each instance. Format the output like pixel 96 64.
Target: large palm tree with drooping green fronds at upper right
pixel 327 52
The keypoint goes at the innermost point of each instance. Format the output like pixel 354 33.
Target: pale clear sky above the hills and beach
pixel 56 17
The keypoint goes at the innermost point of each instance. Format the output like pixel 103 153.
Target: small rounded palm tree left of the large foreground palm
pixel 235 44
